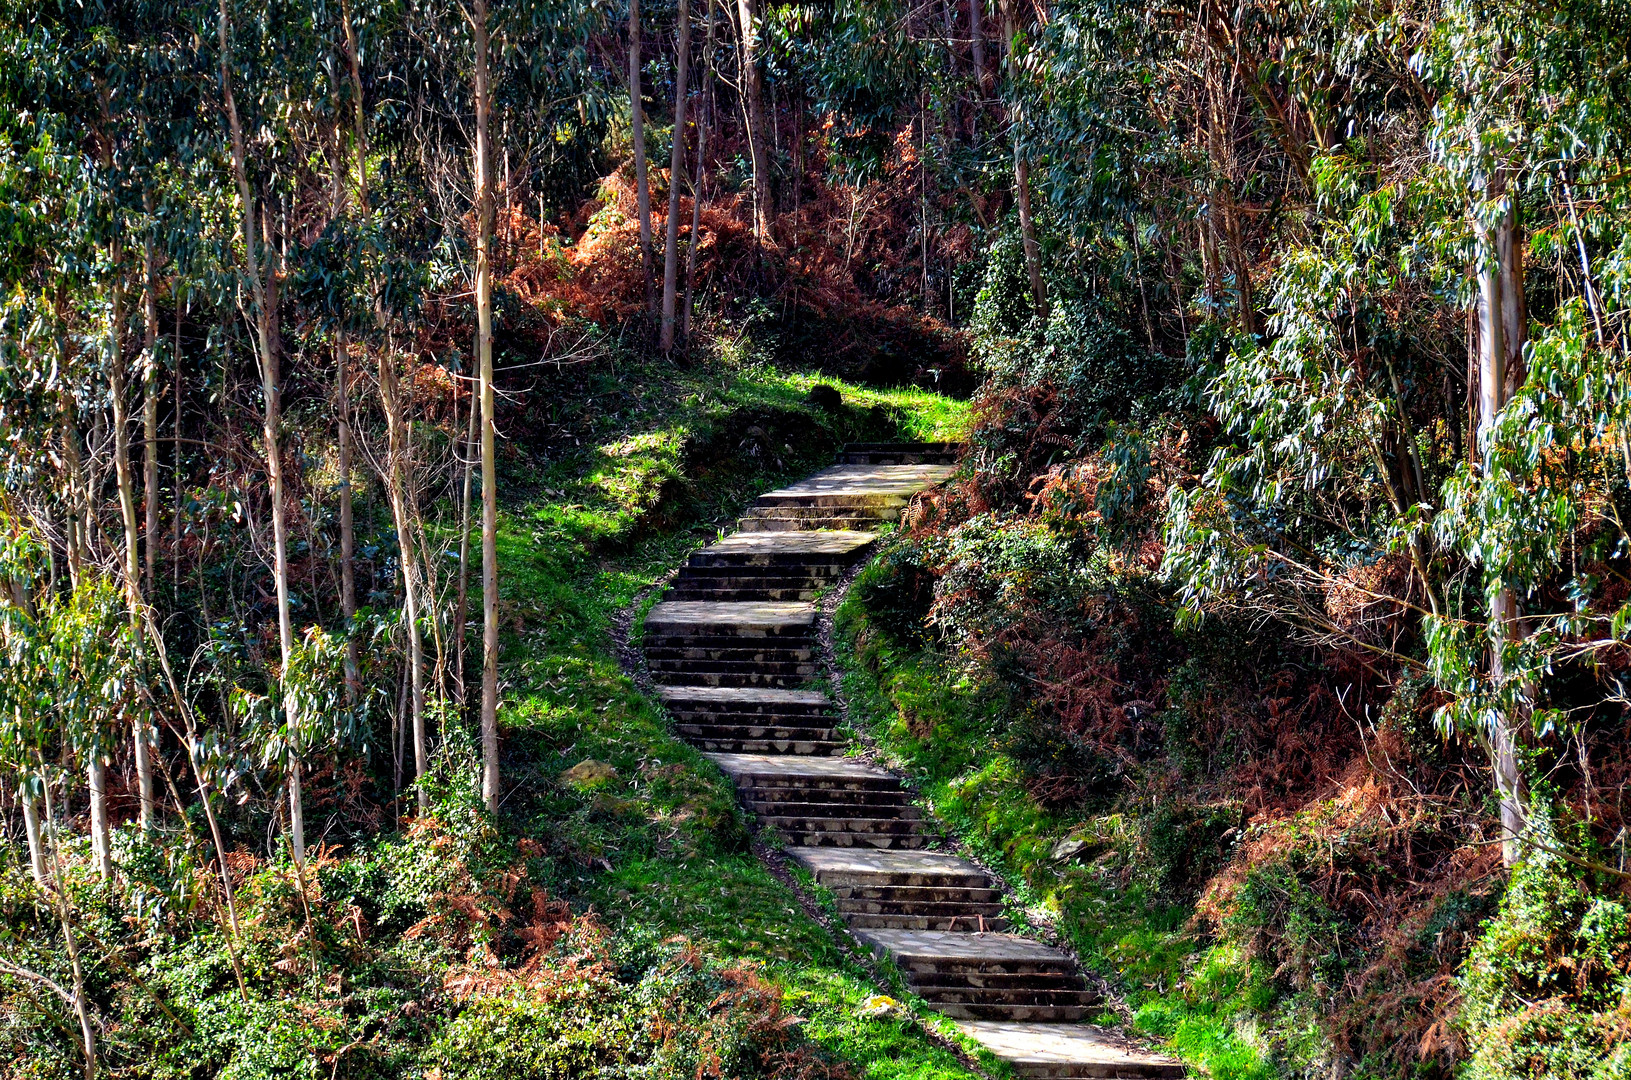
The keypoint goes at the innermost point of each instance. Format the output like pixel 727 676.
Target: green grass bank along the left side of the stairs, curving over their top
pixel 663 459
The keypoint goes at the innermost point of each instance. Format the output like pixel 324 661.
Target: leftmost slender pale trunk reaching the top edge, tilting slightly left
pixel 267 340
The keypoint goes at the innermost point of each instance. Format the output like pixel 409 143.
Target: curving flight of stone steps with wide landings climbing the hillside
pixel 732 647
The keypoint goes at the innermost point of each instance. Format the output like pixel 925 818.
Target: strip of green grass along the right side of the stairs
pixel 945 730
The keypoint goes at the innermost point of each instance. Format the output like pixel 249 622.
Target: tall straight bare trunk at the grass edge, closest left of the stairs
pixel 490 508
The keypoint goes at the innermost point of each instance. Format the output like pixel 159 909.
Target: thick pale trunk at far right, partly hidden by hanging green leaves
pixel 1503 327
